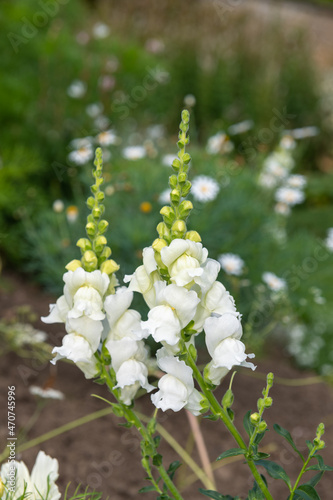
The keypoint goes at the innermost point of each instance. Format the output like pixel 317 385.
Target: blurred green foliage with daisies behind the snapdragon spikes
pixel 75 70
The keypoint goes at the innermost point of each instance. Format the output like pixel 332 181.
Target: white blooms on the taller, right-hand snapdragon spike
pixel 192 297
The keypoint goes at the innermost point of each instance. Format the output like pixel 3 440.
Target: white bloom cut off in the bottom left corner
pixel 41 482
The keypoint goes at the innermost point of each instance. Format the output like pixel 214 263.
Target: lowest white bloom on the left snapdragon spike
pixel 128 359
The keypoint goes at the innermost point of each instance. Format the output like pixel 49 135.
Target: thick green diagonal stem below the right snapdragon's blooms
pixel 222 414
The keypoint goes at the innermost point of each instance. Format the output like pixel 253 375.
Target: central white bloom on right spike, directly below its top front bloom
pixel 176 307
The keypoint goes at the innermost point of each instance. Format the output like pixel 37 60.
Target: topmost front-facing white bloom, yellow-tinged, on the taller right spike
pixel 184 259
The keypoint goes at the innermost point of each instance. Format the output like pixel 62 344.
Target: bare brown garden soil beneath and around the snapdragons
pixel 106 456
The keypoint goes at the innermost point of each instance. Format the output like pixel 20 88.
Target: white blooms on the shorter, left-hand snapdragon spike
pixel 91 316
